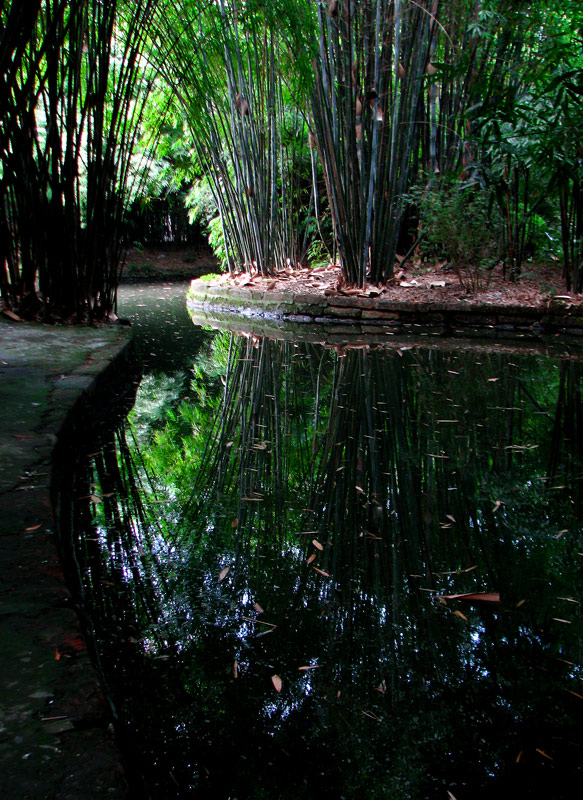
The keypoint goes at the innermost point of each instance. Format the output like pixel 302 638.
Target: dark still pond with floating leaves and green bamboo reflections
pixel 315 570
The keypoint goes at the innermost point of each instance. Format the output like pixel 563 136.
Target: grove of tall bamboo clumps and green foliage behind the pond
pixel 356 132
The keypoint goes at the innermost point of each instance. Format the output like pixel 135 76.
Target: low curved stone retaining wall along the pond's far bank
pixel 368 314
